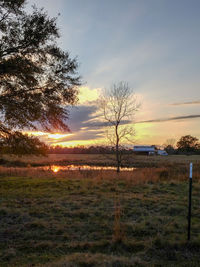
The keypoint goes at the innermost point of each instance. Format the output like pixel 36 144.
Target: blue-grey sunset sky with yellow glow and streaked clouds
pixel 151 44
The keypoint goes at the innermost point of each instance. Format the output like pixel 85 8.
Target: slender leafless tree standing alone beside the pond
pixel 119 105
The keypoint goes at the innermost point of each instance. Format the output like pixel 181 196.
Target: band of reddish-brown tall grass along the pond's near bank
pixel 137 176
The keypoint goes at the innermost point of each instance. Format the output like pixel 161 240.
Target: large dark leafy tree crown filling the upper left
pixel 37 79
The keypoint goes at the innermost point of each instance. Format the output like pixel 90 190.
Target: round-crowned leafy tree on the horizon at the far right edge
pixel 188 143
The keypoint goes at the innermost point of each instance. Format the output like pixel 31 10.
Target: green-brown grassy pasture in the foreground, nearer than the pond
pixel 98 218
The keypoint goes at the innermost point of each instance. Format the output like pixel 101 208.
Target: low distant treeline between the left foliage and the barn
pixel 86 150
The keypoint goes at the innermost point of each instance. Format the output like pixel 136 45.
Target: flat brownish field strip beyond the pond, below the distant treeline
pixel 99 159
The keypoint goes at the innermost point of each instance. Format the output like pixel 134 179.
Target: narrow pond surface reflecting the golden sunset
pixel 57 168
